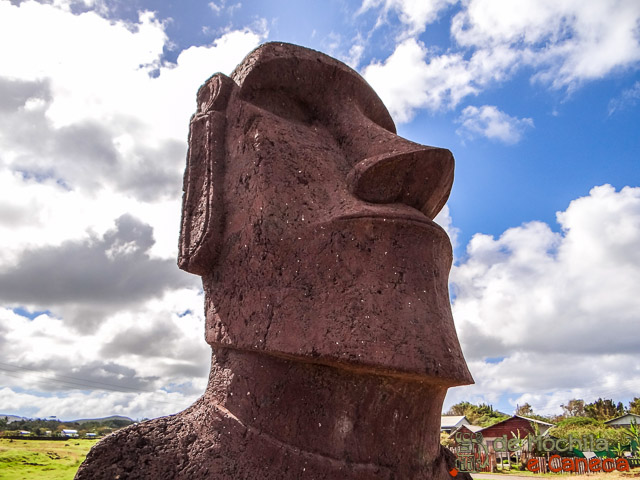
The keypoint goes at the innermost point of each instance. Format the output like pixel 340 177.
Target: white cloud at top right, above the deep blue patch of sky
pixel 564 43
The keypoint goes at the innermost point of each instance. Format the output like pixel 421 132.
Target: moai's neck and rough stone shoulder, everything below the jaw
pixel 241 428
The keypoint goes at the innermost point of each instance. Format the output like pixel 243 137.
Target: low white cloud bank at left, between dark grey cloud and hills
pixel 82 373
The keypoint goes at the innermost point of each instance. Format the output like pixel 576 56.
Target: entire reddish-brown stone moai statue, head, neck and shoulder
pixel 325 279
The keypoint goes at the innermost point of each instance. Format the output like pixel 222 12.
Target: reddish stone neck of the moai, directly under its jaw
pixel 329 411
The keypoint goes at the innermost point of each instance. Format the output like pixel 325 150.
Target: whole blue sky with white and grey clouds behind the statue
pixel 539 101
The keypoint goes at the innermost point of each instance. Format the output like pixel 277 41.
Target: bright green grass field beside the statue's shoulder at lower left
pixel 42 459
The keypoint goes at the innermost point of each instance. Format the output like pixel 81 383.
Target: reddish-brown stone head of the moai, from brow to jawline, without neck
pixel 311 221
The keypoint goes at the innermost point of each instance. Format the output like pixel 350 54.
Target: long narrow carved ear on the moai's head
pixel 202 202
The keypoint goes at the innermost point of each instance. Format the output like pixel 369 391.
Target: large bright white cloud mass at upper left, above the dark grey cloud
pixel 110 138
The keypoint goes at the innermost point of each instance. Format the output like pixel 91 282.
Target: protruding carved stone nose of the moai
pixel 415 175
